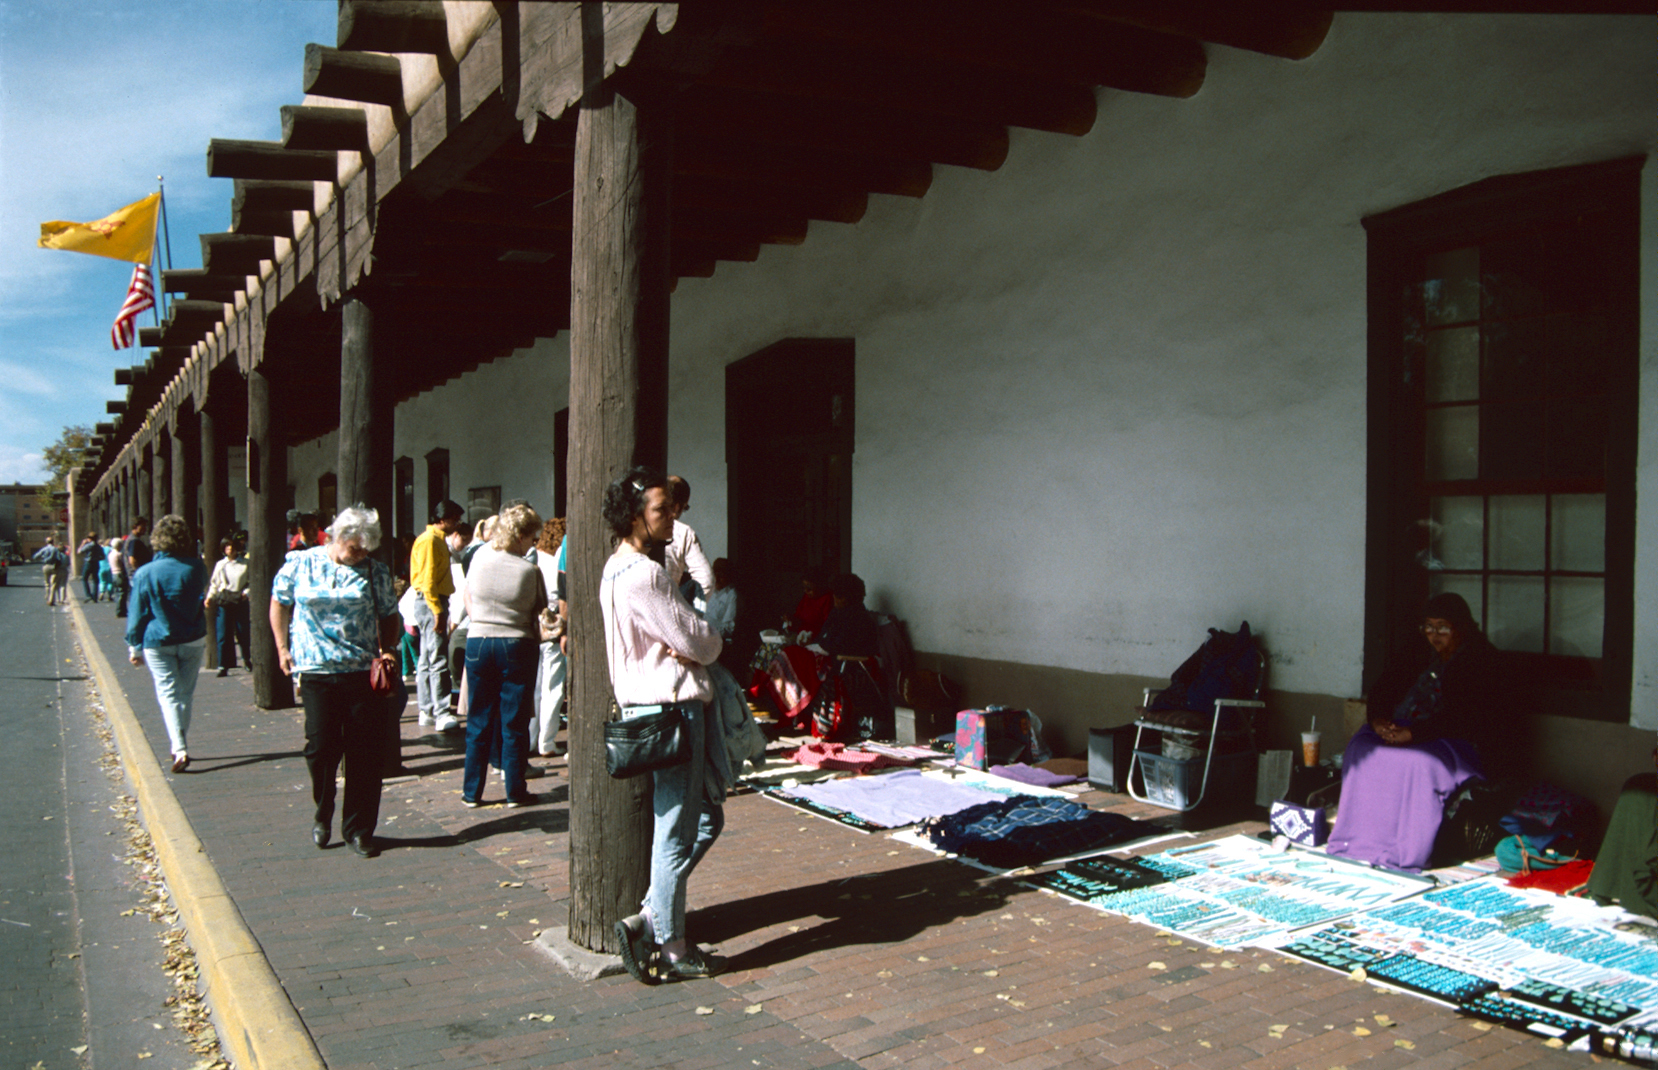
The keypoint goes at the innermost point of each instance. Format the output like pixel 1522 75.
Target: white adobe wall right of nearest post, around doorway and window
pixel 1115 392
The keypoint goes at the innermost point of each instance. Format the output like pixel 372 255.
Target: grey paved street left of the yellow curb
pixel 80 963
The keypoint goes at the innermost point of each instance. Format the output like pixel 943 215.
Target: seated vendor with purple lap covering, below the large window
pixel 1423 744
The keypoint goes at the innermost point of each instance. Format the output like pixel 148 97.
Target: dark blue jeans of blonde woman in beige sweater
pixel 500 698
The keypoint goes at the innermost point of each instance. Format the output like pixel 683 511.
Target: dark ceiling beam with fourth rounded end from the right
pixel 855 130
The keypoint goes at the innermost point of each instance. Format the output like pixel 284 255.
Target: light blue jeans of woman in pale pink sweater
pixel 687 825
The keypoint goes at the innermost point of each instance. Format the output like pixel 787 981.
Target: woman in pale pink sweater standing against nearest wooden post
pixel 659 649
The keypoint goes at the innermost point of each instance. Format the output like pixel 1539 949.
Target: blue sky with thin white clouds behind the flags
pixel 97 99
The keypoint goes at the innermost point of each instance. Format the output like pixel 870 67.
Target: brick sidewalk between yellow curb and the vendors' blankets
pixel 846 950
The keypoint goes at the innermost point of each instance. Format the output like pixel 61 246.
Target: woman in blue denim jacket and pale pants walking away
pixel 168 628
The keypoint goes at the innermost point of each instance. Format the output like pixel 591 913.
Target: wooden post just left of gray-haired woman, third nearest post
pixel 268 467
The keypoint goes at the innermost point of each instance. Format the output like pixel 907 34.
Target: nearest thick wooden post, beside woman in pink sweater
pixel 619 384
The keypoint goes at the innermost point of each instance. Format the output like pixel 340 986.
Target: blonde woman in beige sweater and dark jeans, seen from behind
pixel 505 600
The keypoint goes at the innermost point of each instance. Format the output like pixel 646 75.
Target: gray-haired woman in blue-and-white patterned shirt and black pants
pixel 334 615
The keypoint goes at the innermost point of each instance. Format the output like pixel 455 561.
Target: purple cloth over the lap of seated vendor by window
pixel 1394 797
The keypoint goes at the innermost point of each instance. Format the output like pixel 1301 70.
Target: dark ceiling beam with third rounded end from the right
pixel 807 69
